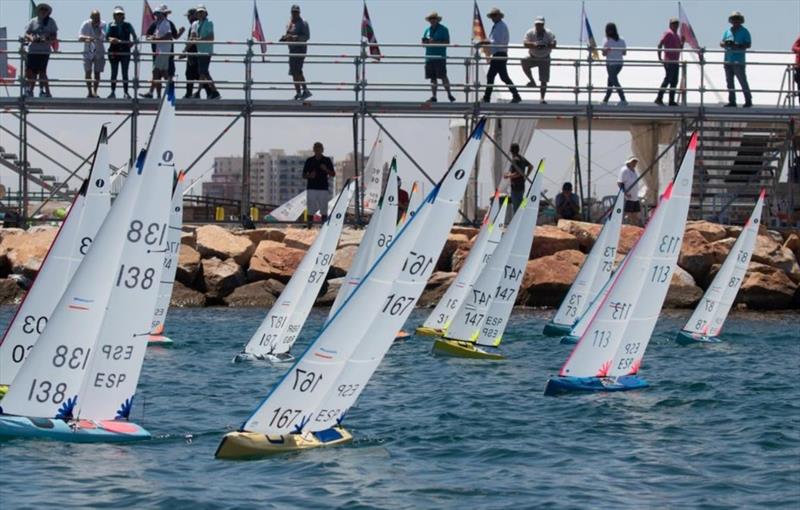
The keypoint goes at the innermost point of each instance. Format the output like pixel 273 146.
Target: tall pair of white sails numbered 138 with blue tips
pixel 91 353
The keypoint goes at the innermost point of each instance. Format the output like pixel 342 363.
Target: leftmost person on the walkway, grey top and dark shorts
pixel 40 33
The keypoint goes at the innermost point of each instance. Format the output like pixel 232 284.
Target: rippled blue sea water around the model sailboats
pixel 718 428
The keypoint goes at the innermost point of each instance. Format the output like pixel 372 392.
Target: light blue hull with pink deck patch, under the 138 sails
pixel 82 431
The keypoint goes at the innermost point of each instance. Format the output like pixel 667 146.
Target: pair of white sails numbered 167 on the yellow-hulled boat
pixel 385 297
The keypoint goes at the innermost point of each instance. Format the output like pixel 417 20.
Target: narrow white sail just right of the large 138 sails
pixel 171 250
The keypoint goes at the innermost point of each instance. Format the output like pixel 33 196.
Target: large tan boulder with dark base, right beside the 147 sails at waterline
pixel 546 281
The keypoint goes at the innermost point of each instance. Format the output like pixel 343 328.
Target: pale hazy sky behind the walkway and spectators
pixel 773 24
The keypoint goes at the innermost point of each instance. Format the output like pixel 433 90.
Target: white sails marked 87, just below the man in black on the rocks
pixel 286 317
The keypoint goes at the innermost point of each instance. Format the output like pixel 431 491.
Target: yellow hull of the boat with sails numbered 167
pixel 252 445
